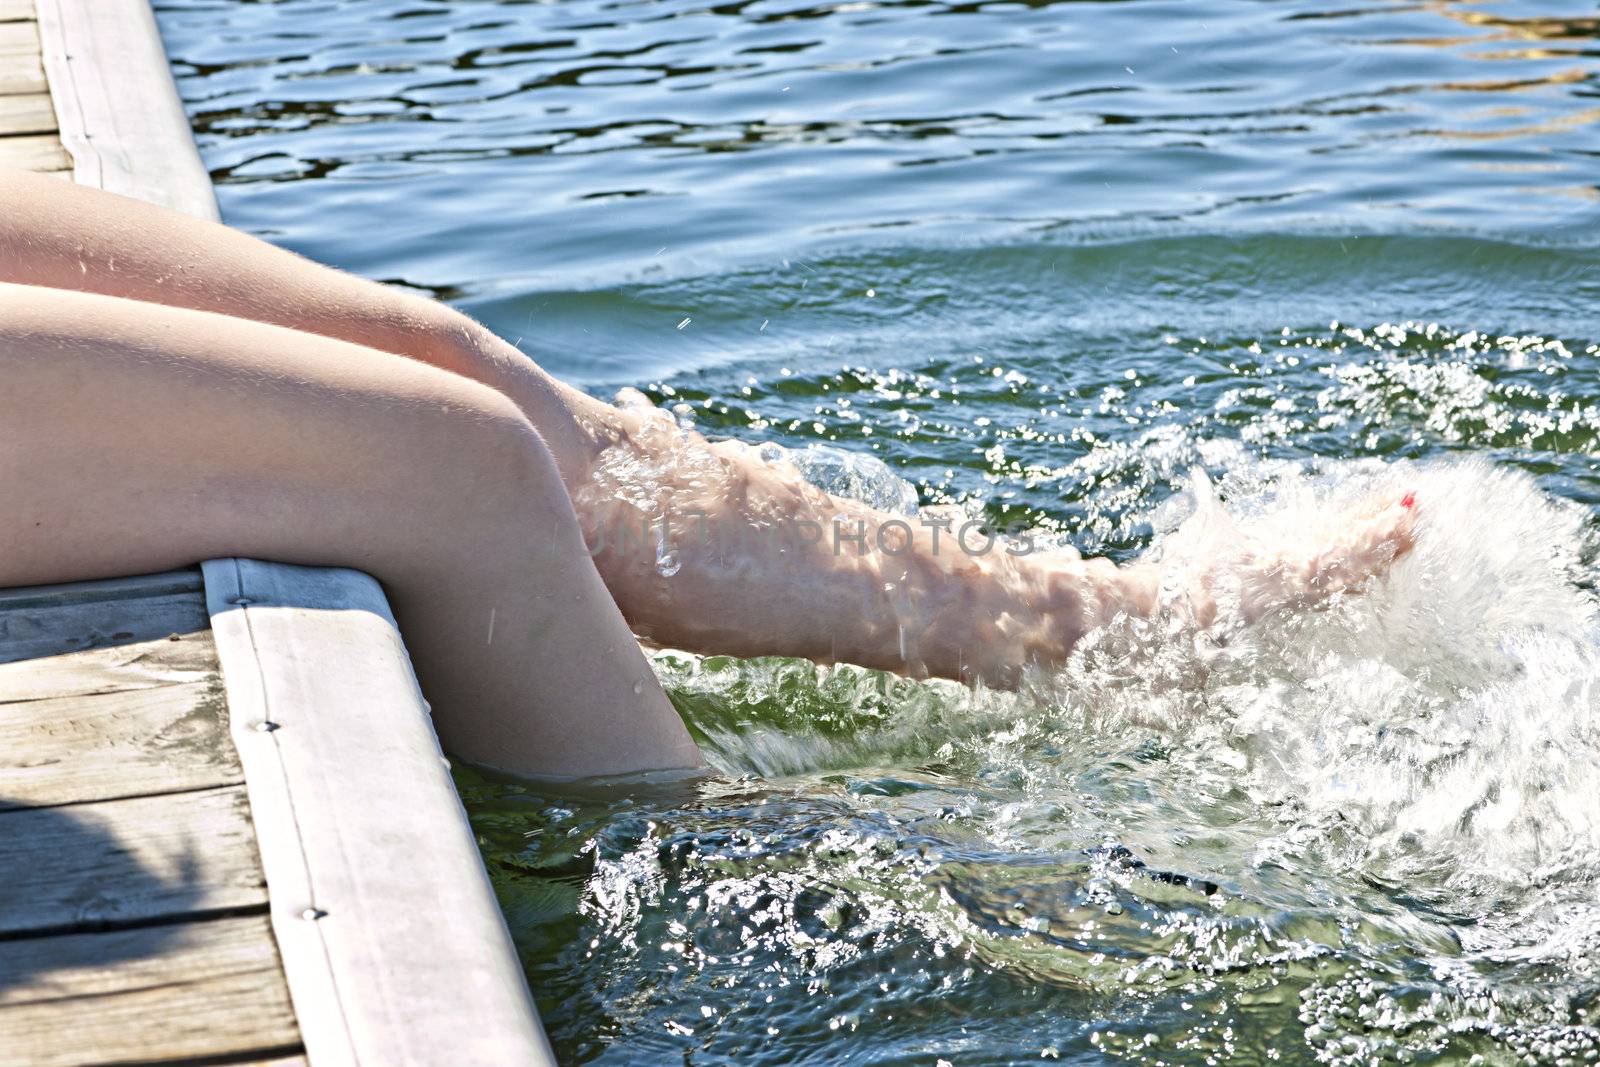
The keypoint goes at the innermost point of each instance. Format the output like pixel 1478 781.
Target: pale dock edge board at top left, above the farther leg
pixel 119 110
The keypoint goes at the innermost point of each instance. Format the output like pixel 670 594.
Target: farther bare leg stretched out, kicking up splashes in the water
pixel 750 577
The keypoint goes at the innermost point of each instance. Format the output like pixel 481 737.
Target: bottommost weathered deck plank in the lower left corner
pixel 156 994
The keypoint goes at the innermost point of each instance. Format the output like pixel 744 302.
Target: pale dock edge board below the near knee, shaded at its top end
pixel 407 962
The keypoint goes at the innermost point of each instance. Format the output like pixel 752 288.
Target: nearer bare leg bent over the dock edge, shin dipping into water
pixel 138 438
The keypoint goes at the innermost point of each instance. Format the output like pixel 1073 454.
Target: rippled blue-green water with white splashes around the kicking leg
pixel 1046 260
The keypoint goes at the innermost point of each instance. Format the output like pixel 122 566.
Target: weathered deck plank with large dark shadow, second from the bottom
pixel 127 861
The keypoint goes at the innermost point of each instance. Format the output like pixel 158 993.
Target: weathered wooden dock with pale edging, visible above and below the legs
pixel 228 834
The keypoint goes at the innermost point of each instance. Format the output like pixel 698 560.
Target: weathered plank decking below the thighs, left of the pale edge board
pixel 132 898
